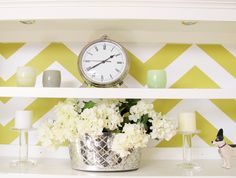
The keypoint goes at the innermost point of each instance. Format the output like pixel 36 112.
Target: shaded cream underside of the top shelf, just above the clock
pixel 121 30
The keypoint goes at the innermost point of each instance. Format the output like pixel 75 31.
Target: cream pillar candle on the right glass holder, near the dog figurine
pixel 187 122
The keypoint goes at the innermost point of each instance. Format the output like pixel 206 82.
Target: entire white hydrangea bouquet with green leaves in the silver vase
pixel 134 122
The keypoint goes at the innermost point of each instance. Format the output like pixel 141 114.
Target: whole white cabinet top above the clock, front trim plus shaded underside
pixel 137 21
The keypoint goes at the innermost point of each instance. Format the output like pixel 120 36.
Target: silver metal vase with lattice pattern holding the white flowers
pixel 95 154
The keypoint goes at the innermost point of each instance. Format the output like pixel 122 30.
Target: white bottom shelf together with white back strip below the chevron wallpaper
pixel 155 162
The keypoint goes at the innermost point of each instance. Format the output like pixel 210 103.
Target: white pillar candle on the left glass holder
pixel 23 119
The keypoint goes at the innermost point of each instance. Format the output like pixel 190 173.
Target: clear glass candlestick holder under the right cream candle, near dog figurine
pixel 187 150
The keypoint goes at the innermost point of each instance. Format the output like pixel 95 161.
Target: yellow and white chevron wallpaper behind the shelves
pixel 187 66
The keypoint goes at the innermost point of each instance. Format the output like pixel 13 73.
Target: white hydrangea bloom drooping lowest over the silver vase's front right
pixel 134 136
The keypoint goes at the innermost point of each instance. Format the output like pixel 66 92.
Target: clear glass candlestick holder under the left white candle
pixel 23 160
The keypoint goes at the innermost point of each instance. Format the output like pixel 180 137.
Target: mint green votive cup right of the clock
pixel 156 78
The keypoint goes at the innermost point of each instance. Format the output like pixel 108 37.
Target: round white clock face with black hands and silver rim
pixel 103 63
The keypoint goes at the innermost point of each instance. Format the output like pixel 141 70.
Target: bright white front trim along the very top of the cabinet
pixel 216 10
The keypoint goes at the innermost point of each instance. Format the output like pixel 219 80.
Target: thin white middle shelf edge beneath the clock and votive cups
pixel 143 93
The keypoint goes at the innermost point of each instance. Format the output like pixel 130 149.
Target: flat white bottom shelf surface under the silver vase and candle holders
pixel 51 168
